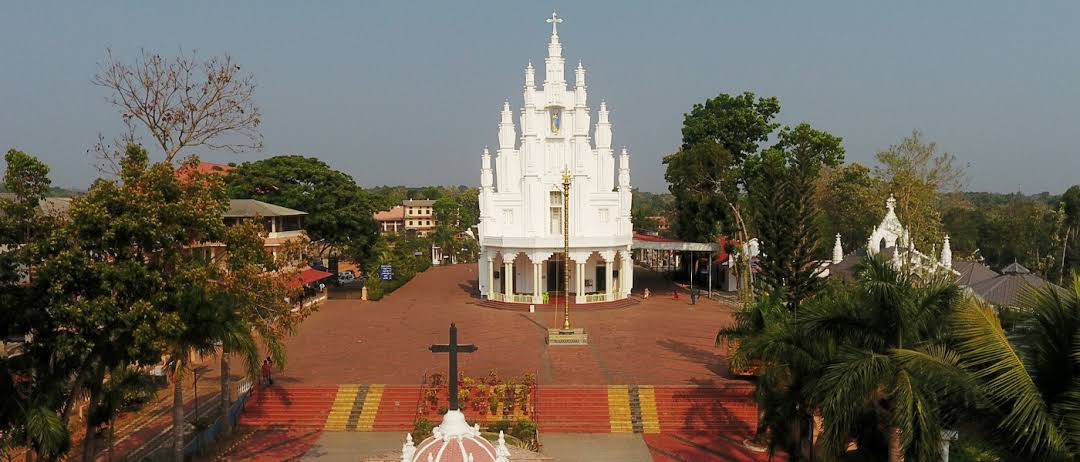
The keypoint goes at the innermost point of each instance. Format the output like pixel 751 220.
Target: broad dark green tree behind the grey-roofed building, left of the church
pixel 340 212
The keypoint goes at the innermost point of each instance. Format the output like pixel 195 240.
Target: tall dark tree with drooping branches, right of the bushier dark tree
pixel 781 186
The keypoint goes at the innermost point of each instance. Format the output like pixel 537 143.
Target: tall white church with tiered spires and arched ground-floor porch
pixel 521 199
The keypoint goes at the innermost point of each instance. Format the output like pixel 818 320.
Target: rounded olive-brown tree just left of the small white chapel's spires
pixel 846 195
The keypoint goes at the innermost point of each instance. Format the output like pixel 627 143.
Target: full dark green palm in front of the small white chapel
pixel 885 385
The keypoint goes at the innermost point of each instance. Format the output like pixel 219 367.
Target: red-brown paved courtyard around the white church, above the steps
pixel 659 342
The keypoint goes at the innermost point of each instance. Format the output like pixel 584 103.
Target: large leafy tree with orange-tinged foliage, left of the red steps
pixel 112 274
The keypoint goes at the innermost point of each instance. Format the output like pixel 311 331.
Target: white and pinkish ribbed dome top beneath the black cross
pixel 454 441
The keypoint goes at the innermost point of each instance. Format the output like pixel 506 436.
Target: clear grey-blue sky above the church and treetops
pixel 410 92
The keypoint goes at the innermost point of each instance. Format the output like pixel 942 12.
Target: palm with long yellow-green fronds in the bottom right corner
pixel 1031 375
